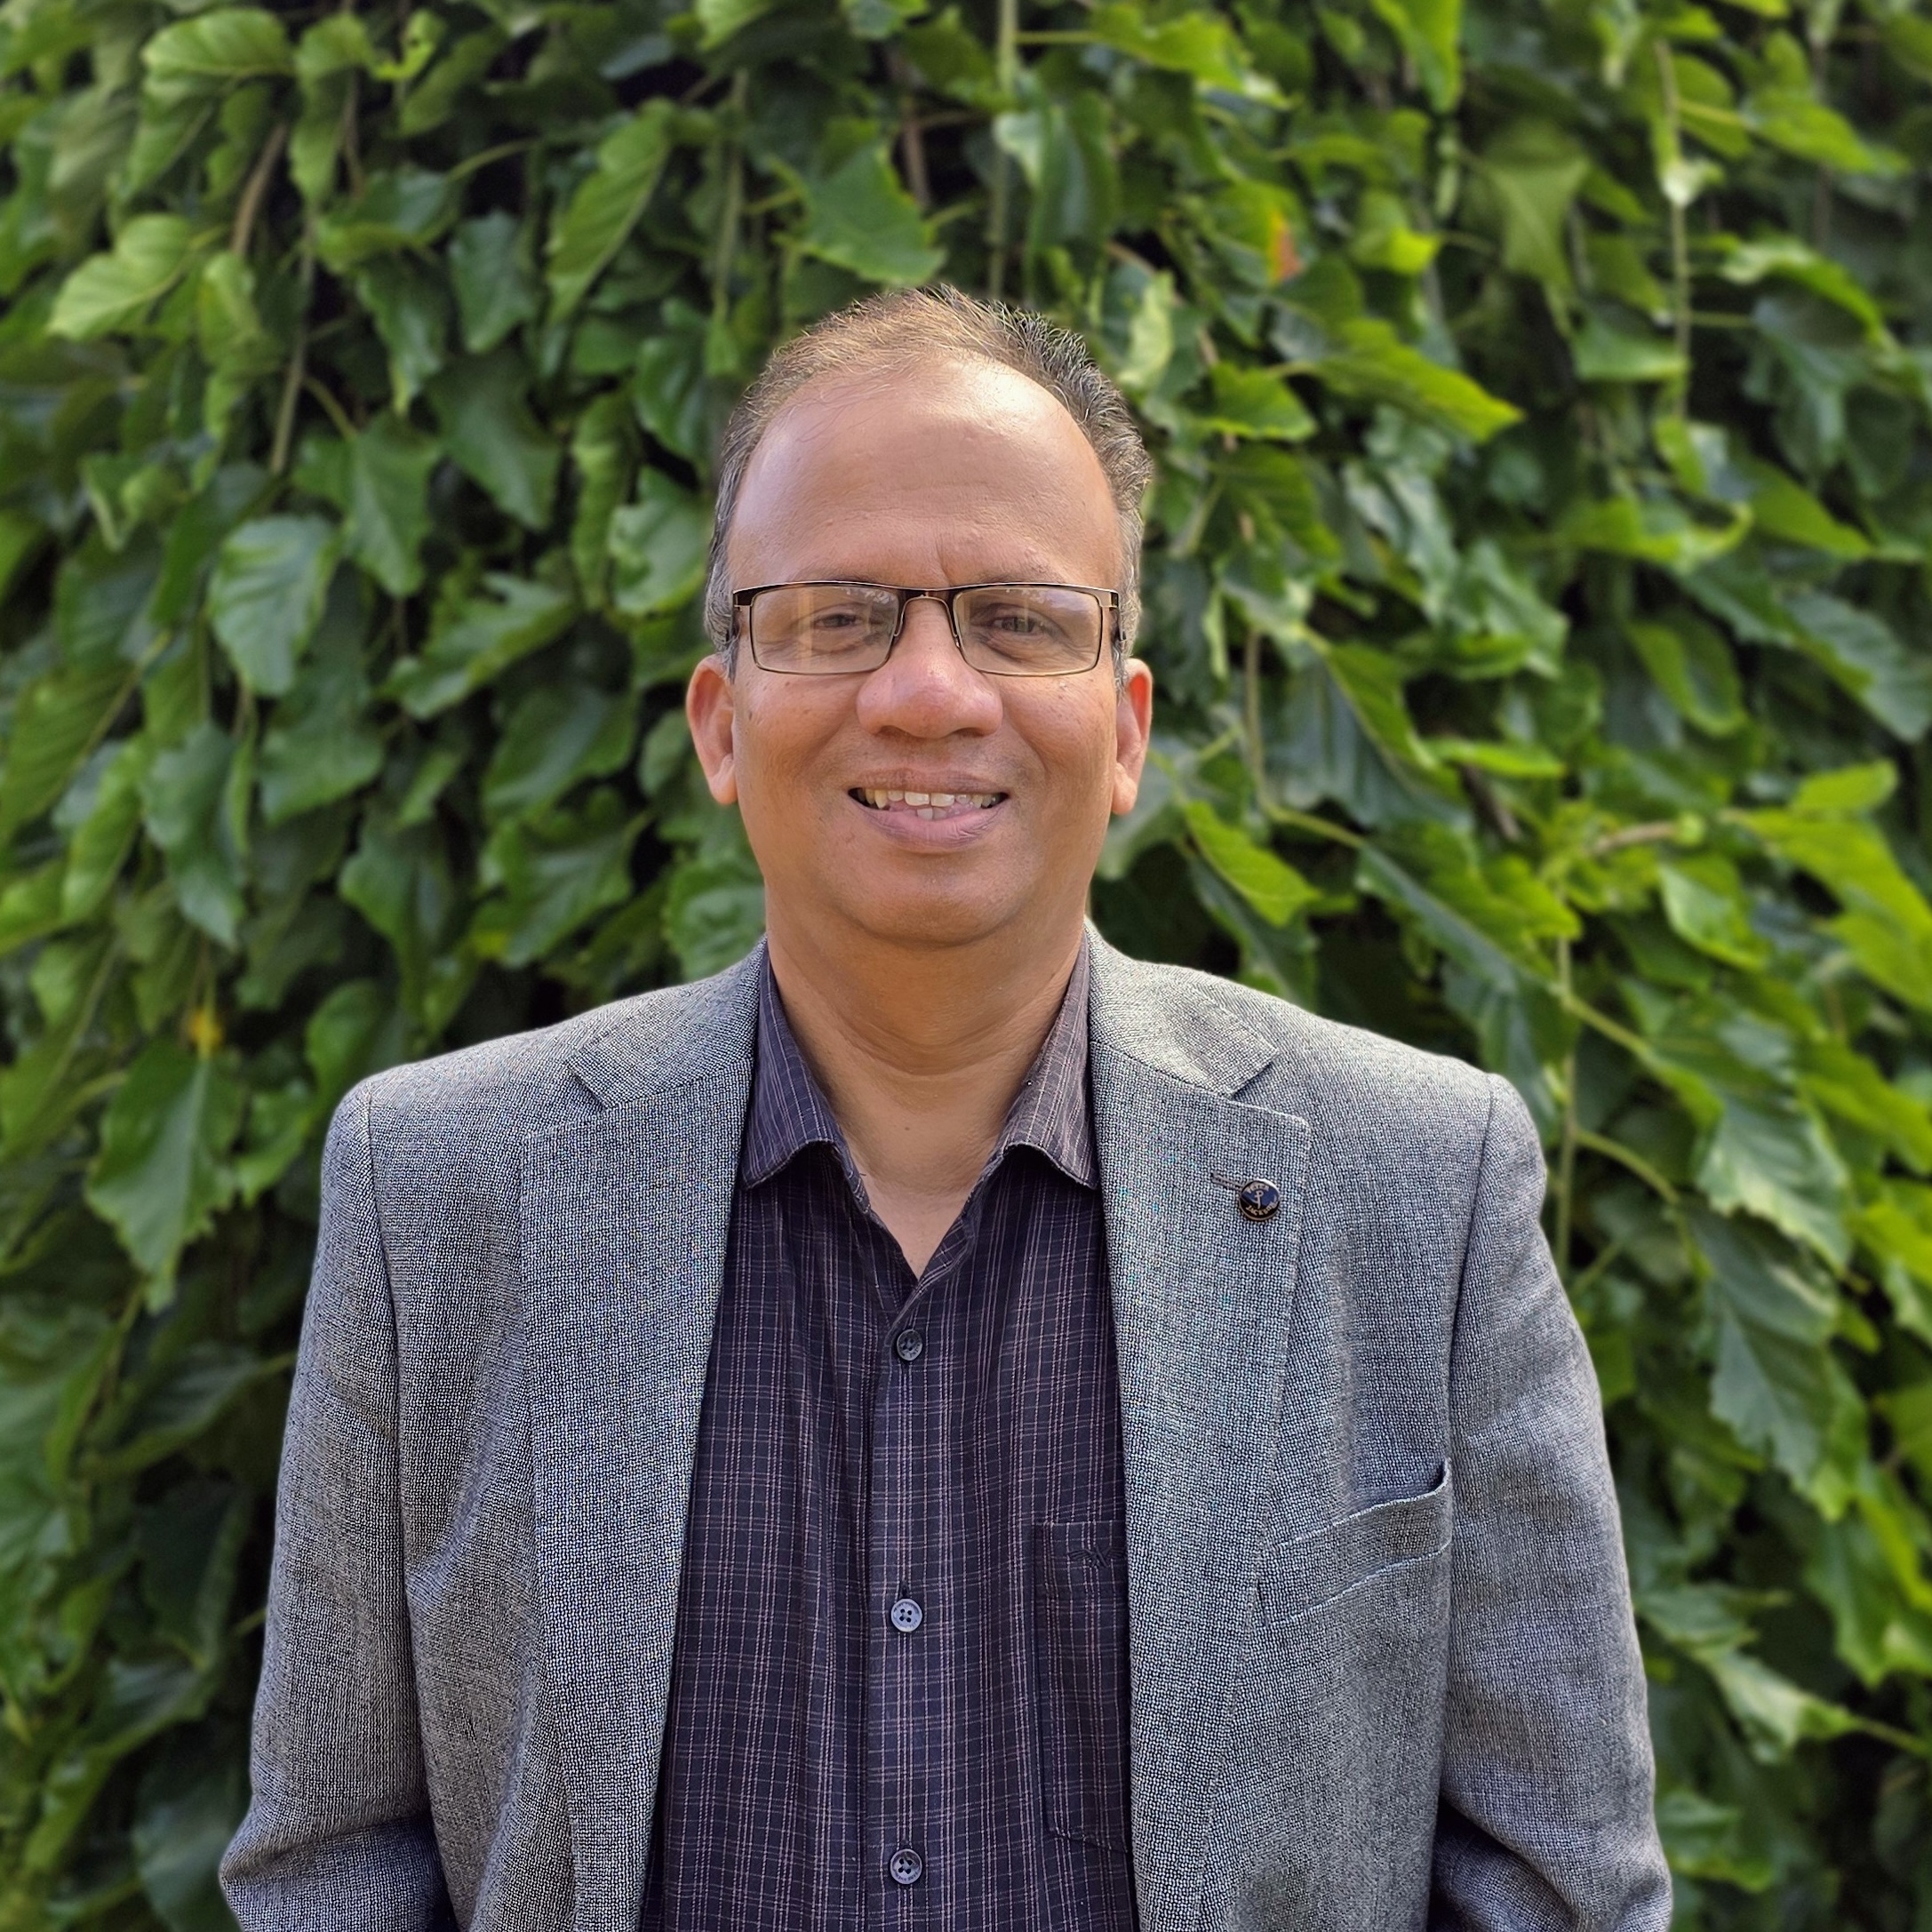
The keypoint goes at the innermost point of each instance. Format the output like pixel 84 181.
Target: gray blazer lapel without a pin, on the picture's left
pixel 625 1220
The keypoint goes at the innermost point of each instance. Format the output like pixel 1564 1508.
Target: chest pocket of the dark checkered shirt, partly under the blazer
pixel 1081 1684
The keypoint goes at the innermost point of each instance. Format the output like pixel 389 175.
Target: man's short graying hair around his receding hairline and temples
pixel 915 327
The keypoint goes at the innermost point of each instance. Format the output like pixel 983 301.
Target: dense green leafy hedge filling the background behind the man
pixel 1537 590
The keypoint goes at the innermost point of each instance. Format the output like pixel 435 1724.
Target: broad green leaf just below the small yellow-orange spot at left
pixel 161 1176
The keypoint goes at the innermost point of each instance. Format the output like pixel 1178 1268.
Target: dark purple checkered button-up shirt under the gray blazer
pixel 901 1695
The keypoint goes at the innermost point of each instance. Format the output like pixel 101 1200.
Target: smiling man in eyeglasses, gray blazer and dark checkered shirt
pixel 942 1427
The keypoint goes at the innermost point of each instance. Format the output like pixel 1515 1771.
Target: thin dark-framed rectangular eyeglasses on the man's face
pixel 1009 631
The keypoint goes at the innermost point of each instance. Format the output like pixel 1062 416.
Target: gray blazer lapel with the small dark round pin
pixel 1203 1307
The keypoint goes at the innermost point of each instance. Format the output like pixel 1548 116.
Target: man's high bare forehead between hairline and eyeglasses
pixel 942 472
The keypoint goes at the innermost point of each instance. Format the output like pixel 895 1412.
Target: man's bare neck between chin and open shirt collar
pixel 921 1054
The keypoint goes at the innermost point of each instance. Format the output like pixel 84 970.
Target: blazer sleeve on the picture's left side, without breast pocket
pixel 339 1834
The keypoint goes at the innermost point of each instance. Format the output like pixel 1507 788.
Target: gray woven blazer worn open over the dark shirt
pixel 1384 1672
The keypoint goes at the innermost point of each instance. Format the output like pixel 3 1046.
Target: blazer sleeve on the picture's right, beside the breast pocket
pixel 1547 1809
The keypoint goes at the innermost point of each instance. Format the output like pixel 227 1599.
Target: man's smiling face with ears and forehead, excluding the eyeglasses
pixel 952 474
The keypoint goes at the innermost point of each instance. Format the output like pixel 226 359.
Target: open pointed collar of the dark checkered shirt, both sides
pixel 1050 1114
